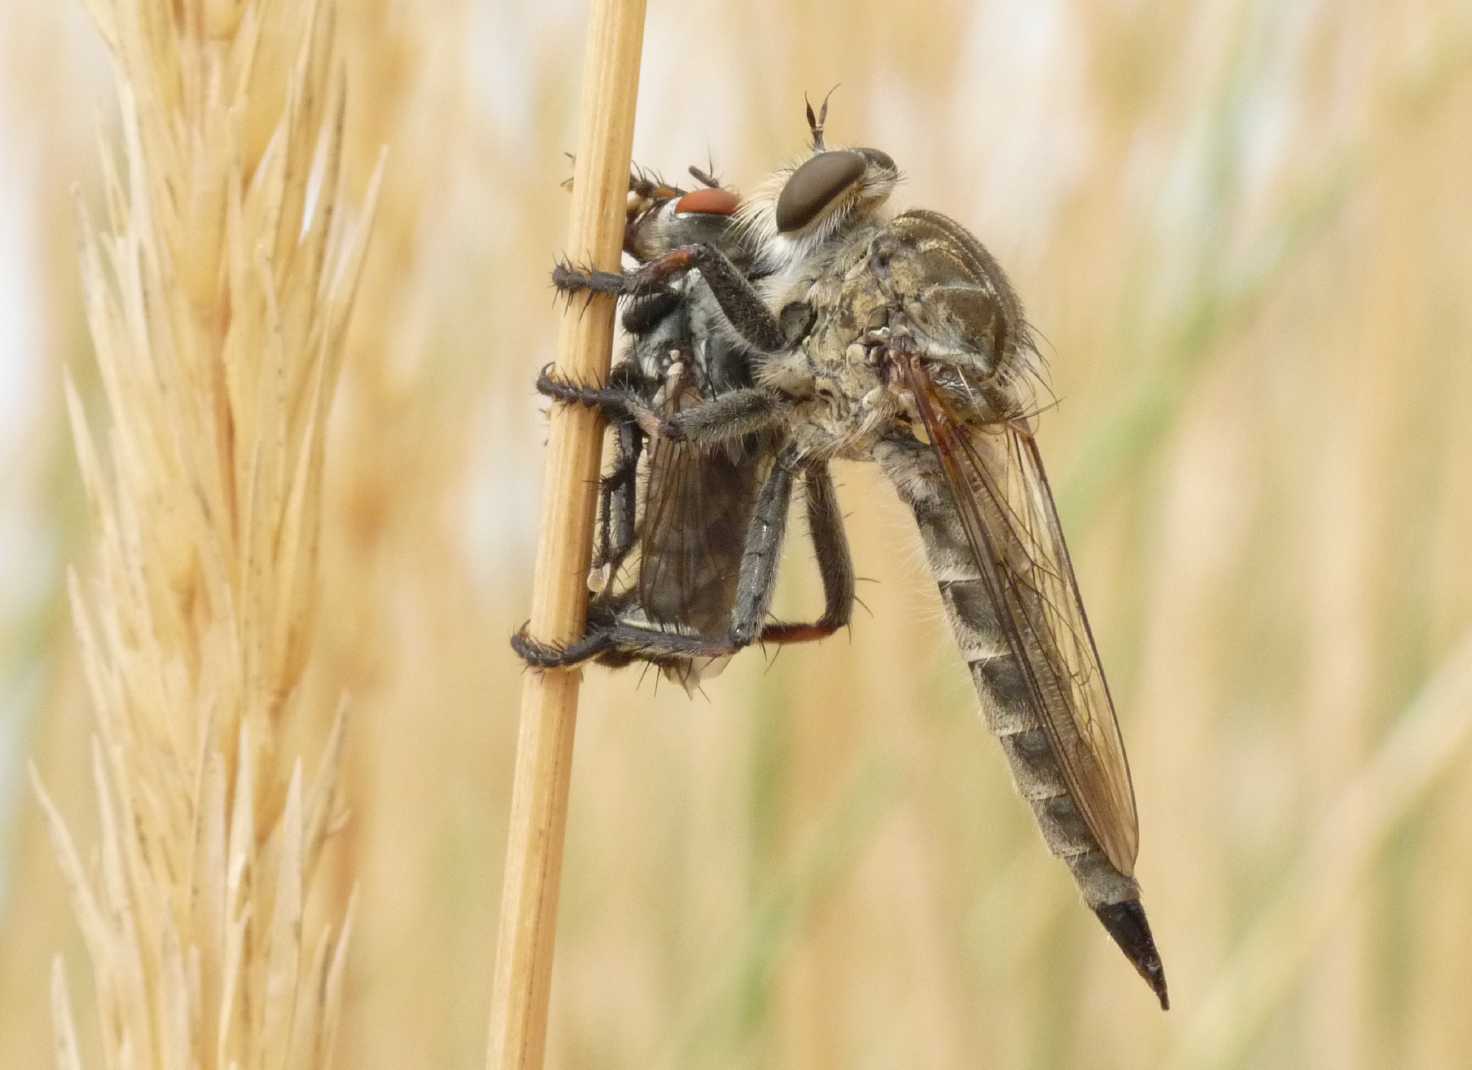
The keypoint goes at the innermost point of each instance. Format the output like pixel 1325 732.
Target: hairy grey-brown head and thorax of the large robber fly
pixel 831 248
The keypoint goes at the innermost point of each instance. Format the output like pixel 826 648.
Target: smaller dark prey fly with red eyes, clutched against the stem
pixel 706 522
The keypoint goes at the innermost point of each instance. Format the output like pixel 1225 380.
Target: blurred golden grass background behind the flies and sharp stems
pixel 1242 227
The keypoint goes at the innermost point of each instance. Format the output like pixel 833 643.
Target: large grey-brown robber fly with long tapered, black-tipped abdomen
pixel 900 341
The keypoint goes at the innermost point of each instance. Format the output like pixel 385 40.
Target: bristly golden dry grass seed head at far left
pixel 219 294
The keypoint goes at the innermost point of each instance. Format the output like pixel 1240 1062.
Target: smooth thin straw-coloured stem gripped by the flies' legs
pixel 523 978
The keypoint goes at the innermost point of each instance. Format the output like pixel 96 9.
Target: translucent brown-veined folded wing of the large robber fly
pixel 1006 506
